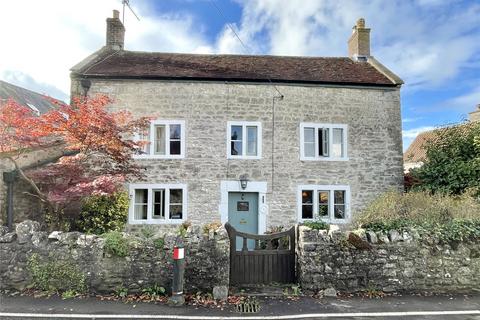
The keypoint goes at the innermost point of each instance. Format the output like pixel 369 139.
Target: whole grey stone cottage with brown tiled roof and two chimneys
pixel 255 140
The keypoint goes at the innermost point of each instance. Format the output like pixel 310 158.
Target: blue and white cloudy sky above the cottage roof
pixel 433 45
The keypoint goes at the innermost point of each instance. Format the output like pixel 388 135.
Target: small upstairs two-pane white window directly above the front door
pixel 244 140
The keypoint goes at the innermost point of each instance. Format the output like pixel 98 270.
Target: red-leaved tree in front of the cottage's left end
pixel 99 145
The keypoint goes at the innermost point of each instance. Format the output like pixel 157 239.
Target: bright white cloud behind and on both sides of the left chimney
pixel 42 40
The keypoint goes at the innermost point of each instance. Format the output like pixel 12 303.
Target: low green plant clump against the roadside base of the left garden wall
pixel 55 276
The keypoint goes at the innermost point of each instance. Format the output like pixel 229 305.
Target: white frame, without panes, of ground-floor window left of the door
pixel 151 188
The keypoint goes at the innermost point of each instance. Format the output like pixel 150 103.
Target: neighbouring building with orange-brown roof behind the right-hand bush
pixel 416 152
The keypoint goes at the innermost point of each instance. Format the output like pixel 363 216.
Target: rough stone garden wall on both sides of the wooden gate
pixel 394 262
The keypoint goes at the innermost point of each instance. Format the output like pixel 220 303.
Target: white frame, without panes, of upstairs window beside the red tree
pixel 166 123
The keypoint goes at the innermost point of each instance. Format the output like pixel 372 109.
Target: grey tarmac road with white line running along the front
pixel 461 307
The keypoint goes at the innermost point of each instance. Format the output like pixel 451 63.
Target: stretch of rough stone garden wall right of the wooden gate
pixel 385 262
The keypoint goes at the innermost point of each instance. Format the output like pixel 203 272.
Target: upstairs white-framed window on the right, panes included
pixel 319 141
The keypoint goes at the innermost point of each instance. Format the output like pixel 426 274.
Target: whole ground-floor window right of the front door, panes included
pixel 330 203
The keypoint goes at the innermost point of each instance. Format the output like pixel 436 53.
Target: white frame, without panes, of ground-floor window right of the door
pixel 330 188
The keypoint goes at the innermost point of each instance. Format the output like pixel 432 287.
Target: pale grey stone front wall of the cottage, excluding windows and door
pixel 372 115
